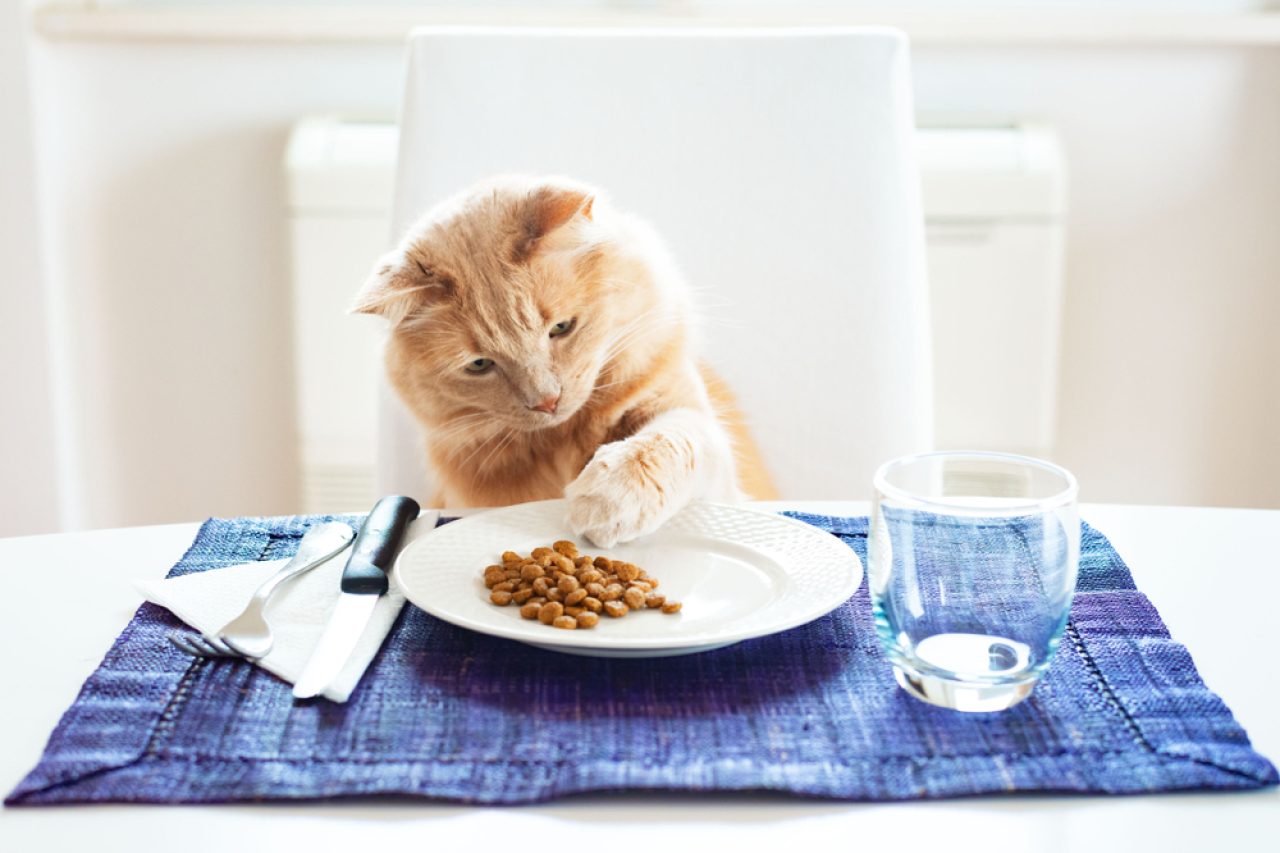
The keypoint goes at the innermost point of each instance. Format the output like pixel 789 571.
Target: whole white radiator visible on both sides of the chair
pixel 994 203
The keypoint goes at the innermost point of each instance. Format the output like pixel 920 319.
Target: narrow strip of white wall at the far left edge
pixel 28 472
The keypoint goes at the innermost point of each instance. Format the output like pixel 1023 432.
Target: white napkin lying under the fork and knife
pixel 298 613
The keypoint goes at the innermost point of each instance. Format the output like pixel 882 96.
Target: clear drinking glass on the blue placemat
pixel 972 563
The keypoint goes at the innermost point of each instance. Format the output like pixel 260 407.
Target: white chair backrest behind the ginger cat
pixel 778 165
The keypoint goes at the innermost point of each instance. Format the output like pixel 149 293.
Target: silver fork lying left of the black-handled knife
pixel 249 635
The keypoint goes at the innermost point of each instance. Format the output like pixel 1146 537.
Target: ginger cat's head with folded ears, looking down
pixel 499 304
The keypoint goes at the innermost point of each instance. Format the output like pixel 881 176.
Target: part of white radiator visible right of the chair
pixel 994 204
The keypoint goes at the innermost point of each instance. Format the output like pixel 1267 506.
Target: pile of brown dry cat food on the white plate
pixel 561 589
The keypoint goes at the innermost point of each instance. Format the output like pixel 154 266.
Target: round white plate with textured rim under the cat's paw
pixel 739 573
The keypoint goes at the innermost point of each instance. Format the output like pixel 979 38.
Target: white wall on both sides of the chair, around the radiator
pixel 159 170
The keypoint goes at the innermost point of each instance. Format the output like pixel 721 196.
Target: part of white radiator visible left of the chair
pixel 341 179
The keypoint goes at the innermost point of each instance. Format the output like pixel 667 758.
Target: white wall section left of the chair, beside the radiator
pixel 161 174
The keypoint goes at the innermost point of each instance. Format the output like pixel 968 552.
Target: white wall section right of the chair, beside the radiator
pixel 1171 391
